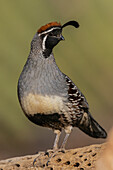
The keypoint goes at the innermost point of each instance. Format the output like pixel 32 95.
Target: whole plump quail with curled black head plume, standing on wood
pixel 47 96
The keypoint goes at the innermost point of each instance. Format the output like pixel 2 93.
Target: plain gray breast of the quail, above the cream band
pixel 42 76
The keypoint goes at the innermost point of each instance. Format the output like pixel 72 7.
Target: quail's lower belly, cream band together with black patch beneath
pixel 44 110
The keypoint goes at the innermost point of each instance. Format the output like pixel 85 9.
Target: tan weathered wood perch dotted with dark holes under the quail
pixel 80 158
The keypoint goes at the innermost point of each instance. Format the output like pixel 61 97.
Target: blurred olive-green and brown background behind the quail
pixel 86 56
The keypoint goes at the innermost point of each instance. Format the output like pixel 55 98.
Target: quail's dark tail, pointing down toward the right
pixel 91 127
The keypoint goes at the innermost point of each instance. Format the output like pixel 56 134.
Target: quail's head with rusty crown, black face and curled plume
pixel 51 34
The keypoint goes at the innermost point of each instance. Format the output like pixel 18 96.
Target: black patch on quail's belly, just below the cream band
pixel 54 121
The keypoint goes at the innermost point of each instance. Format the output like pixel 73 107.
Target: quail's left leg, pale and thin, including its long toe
pixel 55 146
